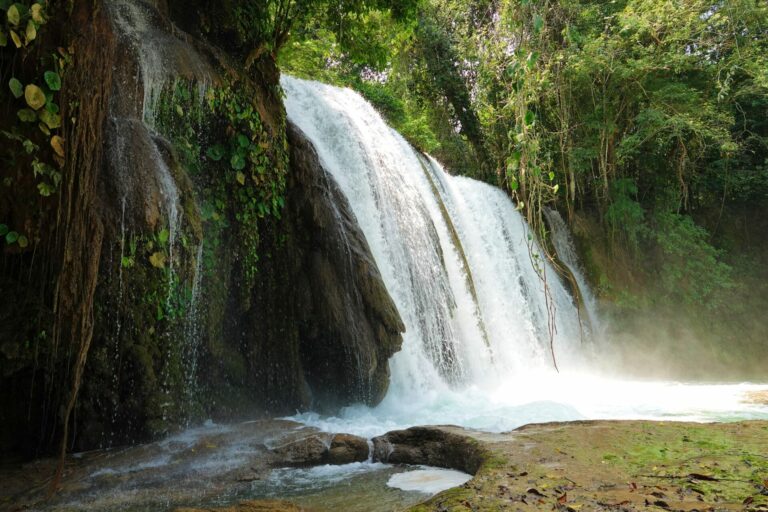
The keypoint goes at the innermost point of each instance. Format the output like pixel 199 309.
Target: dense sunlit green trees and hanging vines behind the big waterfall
pixel 643 120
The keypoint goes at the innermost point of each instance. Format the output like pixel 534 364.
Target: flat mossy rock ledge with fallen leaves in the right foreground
pixel 587 466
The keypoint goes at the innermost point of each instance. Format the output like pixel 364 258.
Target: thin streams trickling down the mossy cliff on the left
pixel 164 60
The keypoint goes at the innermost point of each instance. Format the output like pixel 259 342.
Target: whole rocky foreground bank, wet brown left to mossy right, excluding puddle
pixel 590 465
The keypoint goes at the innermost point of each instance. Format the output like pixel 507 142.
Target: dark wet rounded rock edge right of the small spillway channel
pixel 431 446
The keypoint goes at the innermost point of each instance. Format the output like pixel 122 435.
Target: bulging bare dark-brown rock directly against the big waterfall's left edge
pixel 348 325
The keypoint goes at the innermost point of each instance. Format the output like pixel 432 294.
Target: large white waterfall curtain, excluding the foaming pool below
pixel 455 254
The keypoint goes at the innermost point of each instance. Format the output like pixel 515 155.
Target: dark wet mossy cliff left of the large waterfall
pixel 320 326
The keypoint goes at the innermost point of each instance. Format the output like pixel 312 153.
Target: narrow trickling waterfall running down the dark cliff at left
pixel 160 59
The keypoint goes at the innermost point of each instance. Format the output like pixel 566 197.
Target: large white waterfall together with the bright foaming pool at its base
pixel 479 359
